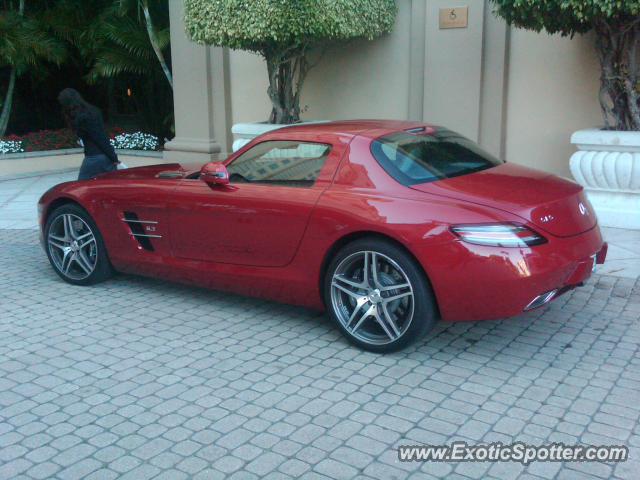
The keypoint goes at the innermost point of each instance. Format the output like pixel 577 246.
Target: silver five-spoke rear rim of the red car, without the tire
pixel 372 297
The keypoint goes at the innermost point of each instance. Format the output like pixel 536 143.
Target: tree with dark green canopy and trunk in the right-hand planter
pixel 616 24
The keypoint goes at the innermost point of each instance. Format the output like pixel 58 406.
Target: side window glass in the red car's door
pixel 291 163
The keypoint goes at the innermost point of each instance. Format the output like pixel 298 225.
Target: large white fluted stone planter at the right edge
pixel 607 165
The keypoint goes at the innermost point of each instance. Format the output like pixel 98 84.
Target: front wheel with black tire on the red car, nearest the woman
pixel 95 252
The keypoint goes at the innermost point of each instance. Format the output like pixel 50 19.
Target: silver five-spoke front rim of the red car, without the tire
pixel 72 246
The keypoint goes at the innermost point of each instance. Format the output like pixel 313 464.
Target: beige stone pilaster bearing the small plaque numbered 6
pixel 457 76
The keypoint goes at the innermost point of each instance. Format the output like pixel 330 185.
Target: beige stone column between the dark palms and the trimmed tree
pixel 200 96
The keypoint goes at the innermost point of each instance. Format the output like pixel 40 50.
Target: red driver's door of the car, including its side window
pixel 260 218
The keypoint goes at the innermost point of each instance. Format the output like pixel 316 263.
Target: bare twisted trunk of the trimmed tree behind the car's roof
pixel 287 72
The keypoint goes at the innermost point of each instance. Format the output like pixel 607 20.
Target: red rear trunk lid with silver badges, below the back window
pixel 551 203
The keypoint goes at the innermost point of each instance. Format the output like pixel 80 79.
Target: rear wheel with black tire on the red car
pixel 374 326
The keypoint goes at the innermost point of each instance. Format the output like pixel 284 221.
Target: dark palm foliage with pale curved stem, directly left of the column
pixel 124 43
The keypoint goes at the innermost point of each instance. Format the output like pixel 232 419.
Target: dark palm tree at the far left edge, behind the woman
pixel 24 44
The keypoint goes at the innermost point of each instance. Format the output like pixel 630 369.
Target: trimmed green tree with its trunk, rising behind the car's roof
pixel 286 33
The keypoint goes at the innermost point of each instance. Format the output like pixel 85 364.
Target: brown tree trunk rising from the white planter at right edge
pixel 618 48
